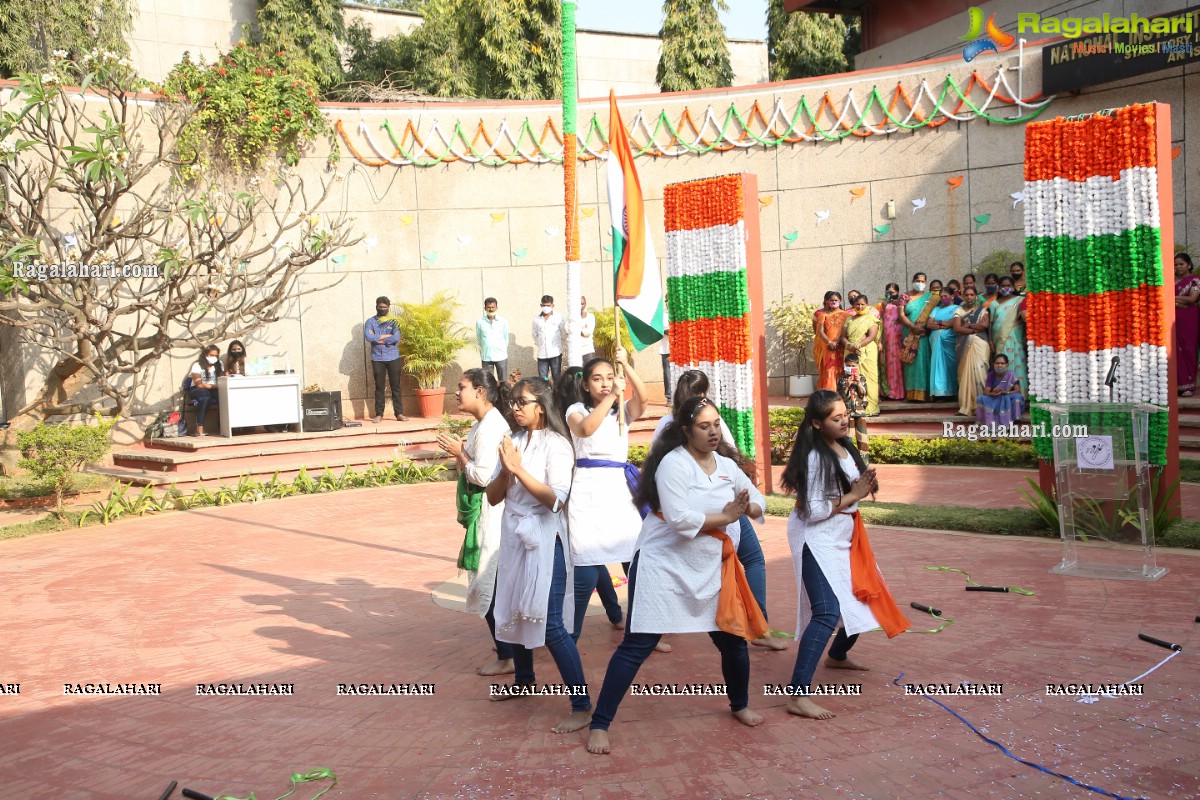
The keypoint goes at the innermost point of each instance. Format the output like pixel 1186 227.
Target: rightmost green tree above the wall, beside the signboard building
pixel 805 45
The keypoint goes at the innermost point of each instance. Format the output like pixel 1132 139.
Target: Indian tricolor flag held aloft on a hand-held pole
pixel 639 287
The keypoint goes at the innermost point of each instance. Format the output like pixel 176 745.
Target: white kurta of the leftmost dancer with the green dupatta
pixel 483 450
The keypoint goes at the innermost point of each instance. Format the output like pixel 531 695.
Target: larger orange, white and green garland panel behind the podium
pixel 1095 269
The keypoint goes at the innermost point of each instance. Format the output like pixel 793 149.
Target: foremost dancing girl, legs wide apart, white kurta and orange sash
pixel 675 582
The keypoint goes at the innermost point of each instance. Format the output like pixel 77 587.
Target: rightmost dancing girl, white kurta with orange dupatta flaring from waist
pixel 836 570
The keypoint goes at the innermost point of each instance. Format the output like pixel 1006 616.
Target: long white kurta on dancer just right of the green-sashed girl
pixel 527 542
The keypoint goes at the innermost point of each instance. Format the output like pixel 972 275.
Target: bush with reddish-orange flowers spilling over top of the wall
pixel 249 110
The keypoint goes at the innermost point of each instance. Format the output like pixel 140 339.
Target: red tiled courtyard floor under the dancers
pixel 331 590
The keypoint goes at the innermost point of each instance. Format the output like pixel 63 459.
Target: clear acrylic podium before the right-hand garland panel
pixel 1103 484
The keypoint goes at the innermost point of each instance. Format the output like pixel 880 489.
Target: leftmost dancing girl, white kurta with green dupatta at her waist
pixel 479 459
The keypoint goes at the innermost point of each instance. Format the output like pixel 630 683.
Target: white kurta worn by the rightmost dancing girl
pixel 829 537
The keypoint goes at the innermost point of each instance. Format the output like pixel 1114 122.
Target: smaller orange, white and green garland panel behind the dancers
pixel 707 297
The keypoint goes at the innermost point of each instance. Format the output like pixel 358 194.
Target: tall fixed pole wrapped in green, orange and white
pixel 571 165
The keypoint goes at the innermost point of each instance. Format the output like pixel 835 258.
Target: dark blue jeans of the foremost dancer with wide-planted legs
pixel 637 648
